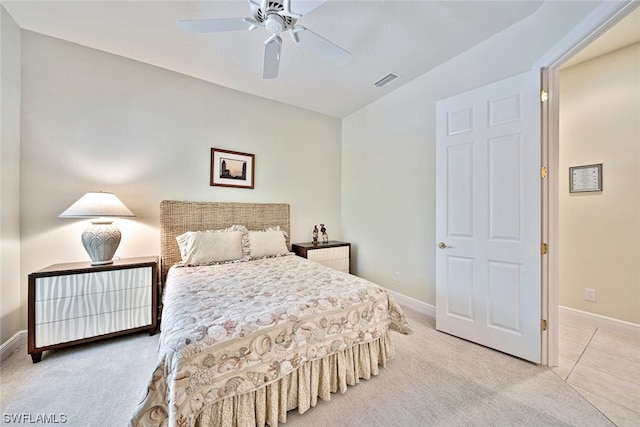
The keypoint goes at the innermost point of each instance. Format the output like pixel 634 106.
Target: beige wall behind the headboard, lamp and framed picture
pixel 96 121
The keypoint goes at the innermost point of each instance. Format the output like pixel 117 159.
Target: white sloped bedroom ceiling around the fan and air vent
pixel 407 38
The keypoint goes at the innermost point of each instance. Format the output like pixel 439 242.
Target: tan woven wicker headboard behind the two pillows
pixel 177 217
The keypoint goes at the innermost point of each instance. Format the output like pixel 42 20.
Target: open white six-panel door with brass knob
pixel 488 279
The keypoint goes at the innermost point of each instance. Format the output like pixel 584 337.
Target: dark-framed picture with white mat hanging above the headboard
pixel 232 169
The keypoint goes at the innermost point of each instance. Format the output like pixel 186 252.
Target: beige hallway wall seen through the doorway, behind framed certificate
pixel 600 232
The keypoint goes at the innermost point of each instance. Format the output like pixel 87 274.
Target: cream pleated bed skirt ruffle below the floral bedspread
pixel 301 388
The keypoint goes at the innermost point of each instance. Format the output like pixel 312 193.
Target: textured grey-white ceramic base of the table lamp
pixel 101 239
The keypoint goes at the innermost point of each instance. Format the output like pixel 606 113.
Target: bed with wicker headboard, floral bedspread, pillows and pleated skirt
pixel 245 340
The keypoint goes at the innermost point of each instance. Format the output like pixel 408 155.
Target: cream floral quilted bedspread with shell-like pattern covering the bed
pixel 231 329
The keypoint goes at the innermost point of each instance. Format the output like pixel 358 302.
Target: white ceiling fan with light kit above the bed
pixel 276 16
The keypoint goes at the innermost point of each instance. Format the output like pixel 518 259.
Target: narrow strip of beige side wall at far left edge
pixel 10 293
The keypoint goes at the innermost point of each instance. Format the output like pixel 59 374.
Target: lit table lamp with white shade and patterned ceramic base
pixel 101 238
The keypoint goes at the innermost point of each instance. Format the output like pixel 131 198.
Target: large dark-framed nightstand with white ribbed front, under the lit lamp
pixel 78 302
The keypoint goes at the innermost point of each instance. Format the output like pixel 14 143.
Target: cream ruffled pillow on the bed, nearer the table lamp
pixel 214 246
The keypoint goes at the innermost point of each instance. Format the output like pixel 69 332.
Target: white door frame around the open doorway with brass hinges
pixel 605 16
